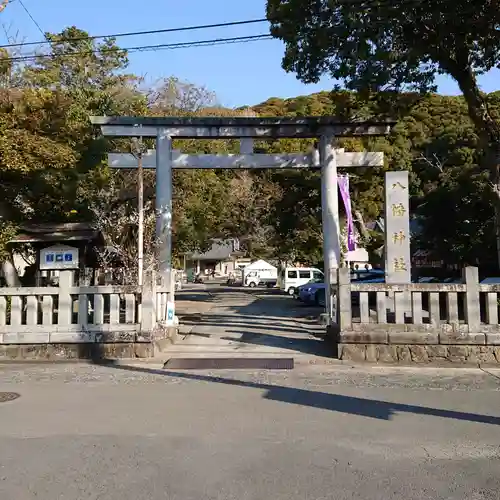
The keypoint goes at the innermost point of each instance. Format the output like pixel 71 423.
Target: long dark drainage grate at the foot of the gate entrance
pixel 229 364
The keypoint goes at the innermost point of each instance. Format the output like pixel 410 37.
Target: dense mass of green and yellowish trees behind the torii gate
pixel 53 162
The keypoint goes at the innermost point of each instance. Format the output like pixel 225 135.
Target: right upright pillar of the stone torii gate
pixel 330 214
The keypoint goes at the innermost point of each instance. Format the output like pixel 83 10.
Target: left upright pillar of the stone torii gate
pixel 164 209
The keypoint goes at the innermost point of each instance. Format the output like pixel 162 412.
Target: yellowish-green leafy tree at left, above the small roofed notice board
pixel 47 145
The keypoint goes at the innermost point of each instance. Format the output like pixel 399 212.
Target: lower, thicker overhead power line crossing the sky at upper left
pixel 145 48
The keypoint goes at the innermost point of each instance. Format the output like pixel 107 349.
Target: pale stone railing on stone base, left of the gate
pixel 78 321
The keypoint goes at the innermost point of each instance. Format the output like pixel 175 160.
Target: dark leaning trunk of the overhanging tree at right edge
pixel 488 130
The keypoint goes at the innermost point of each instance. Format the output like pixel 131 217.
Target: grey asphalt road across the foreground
pixel 136 433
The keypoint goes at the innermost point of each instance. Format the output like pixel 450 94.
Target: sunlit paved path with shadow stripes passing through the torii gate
pixel 239 322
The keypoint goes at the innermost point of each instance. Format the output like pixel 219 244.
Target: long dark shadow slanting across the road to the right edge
pixel 370 408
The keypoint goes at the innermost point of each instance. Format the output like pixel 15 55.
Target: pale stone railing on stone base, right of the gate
pixel 417 322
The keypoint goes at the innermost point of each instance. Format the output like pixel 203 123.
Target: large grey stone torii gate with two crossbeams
pixel 164 159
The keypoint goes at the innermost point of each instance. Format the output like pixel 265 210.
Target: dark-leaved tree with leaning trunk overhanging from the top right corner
pixel 379 44
